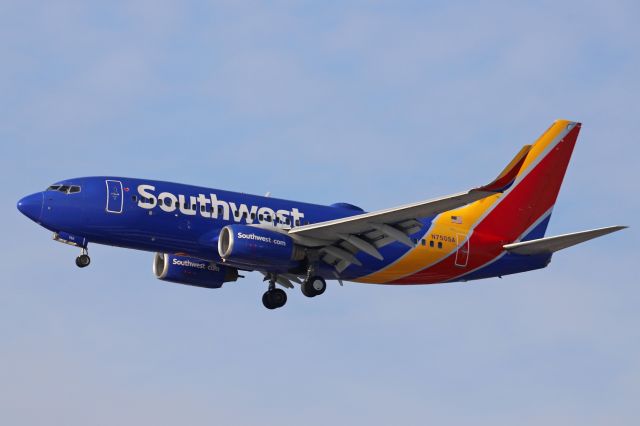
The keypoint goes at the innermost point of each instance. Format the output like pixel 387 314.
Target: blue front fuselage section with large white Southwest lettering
pixel 169 217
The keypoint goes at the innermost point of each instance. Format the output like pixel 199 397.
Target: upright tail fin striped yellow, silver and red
pixel 532 181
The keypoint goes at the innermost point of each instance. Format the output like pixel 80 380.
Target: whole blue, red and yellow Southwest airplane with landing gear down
pixel 206 237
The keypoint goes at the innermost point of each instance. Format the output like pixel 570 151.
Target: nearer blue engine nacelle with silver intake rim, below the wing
pixel 249 245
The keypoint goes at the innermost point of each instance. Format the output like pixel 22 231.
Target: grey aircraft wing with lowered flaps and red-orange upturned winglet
pixel 338 240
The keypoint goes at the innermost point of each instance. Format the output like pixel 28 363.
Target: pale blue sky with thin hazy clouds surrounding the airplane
pixel 375 103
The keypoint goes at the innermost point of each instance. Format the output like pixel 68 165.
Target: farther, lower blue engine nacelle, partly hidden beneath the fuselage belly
pixel 191 271
